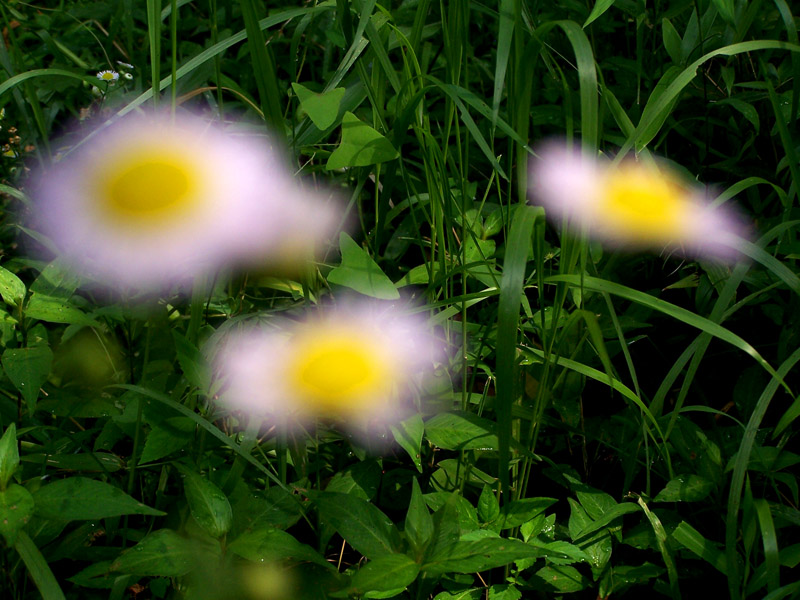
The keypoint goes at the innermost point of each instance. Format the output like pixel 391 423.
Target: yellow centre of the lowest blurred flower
pixel 338 373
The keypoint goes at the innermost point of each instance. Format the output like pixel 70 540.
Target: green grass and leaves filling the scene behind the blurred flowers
pixel 638 409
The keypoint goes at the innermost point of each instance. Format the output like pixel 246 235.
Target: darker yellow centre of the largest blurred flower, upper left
pixel 148 188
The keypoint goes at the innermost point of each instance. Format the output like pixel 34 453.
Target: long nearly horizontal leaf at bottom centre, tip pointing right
pixel 472 557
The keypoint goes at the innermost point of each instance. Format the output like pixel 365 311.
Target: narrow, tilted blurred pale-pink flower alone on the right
pixel 632 204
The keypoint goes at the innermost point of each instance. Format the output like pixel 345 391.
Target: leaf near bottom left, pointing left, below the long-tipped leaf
pixel 163 553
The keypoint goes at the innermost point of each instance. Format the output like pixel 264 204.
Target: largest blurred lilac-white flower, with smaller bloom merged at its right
pixel 151 201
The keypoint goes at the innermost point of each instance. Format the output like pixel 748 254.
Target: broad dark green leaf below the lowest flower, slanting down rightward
pixel 360 523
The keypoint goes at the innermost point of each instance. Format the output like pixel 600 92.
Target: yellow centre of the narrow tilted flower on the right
pixel 643 203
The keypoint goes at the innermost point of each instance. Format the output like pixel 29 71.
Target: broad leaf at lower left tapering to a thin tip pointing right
pixel 80 498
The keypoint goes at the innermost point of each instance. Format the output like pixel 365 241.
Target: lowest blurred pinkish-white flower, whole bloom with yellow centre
pixel 352 364
